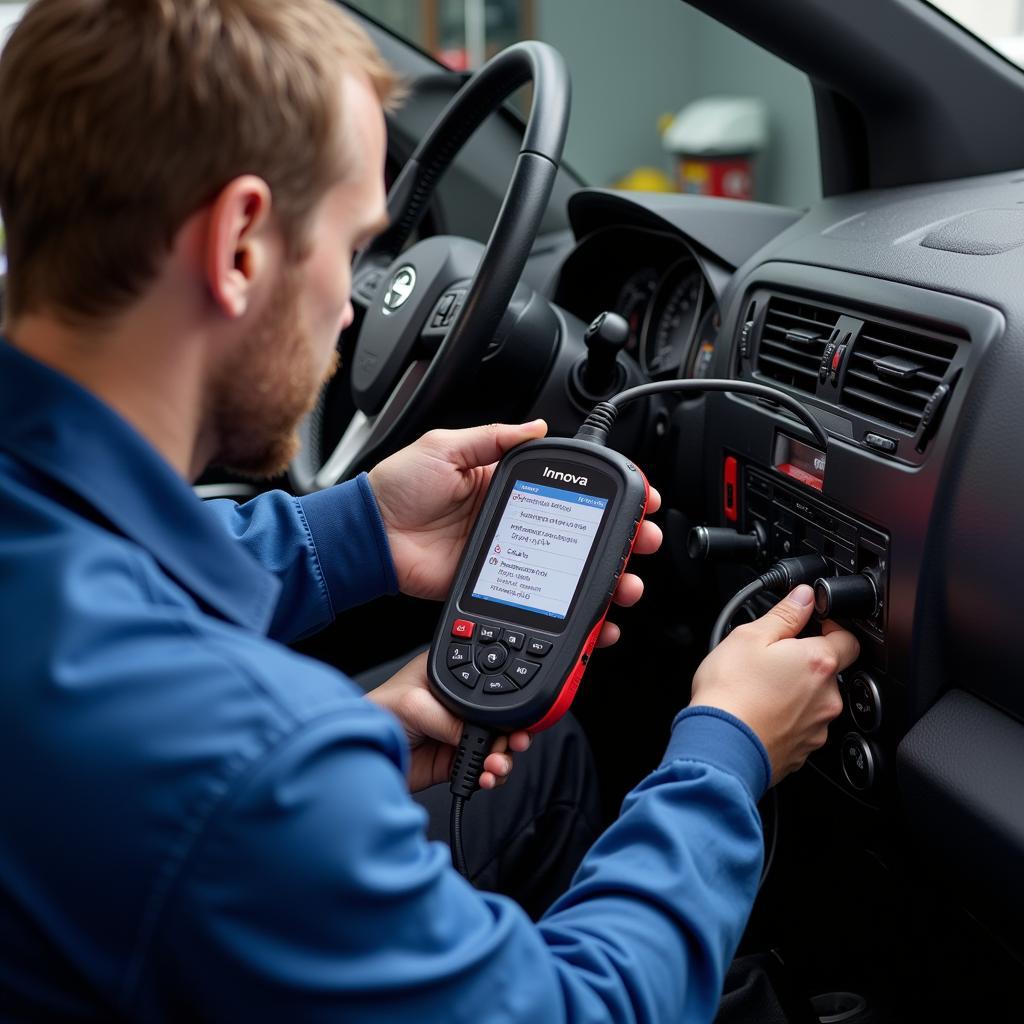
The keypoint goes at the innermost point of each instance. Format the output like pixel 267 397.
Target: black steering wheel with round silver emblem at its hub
pixel 445 295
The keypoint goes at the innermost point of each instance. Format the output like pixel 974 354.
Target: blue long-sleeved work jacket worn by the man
pixel 199 824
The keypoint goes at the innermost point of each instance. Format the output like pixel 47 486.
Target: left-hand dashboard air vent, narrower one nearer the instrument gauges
pixel 793 342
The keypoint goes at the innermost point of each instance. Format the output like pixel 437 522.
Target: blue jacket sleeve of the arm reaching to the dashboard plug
pixel 315 897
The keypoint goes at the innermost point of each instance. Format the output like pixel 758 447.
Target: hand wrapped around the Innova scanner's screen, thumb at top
pixel 431 493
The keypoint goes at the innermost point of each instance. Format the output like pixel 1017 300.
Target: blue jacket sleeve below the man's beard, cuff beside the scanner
pixel 329 550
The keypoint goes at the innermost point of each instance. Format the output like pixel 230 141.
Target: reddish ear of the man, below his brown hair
pixel 239 244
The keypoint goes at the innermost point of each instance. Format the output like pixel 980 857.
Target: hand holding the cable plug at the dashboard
pixel 784 689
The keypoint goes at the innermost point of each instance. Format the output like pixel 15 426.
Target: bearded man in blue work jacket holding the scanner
pixel 198 823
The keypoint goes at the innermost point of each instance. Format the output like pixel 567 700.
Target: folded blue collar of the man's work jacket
pixel 51 423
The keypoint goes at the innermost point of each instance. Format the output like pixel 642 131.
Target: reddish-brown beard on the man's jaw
pixel 263 395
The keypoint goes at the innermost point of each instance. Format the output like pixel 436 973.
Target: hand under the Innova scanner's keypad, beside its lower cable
pixel 434 732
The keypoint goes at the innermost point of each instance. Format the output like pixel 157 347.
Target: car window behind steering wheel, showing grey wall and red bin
pixel 664 97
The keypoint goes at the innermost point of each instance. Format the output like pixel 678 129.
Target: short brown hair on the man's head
pixel 119 119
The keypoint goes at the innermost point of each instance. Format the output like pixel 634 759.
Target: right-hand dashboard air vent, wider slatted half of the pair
pixel 893 372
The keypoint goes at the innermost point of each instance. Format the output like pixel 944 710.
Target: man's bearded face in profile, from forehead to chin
pixel 265 393
